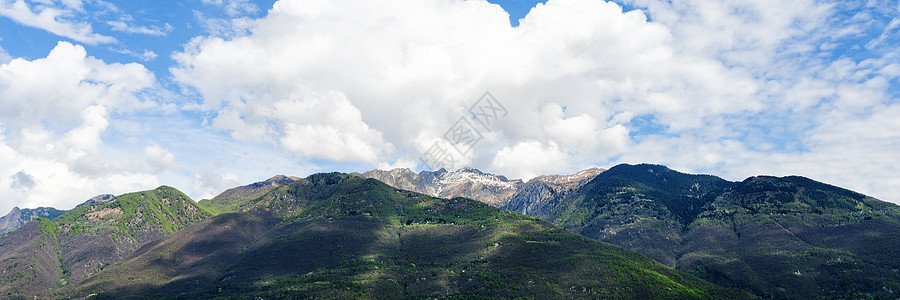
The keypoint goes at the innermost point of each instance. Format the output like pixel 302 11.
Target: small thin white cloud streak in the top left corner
pixel 56 20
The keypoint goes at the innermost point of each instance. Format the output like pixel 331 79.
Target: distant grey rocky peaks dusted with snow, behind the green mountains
pixel 495 190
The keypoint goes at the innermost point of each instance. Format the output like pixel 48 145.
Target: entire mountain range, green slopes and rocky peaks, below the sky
pixel 653 233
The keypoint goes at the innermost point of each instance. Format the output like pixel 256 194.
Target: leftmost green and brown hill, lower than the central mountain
pixel 44 255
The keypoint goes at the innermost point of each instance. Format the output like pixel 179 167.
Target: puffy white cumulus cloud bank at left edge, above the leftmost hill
pixel 56 112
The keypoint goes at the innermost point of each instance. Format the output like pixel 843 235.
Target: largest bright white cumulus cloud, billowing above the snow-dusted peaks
pixel 424 62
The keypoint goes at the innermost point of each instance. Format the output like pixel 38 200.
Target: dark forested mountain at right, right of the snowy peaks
pixel 782 237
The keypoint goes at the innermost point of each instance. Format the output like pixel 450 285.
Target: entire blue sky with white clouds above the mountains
pixel 118 96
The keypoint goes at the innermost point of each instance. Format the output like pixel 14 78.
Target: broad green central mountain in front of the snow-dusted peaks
pixel 343 236
